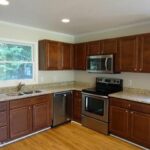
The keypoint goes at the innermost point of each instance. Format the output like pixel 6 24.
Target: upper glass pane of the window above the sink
pixel 15 52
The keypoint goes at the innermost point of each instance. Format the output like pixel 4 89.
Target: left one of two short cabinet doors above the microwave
pixel 93 48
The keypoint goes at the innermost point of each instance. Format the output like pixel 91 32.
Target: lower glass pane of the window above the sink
pixel 14 71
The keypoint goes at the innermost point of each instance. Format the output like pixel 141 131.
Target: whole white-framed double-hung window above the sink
pixel 16 61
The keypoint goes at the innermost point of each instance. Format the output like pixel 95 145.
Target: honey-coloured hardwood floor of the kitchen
pixel 70 137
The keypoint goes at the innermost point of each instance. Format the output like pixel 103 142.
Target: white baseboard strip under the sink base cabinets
pixel 21 138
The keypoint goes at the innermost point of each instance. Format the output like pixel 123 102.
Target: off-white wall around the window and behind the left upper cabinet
pixel 27 34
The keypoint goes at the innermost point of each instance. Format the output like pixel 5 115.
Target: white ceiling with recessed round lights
pixel 86 15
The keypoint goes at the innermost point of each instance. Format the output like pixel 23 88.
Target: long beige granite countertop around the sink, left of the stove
pixel 45 90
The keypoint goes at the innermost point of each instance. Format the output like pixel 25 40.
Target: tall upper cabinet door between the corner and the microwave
pixel 80 56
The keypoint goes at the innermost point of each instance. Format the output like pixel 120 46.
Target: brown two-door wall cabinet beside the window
pixel 55 55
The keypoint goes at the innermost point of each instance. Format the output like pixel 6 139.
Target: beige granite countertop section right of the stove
pixel 142 96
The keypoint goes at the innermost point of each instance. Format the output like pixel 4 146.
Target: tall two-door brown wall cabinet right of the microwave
pixel 134 53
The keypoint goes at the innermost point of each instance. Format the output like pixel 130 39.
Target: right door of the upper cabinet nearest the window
pixel 67 56
